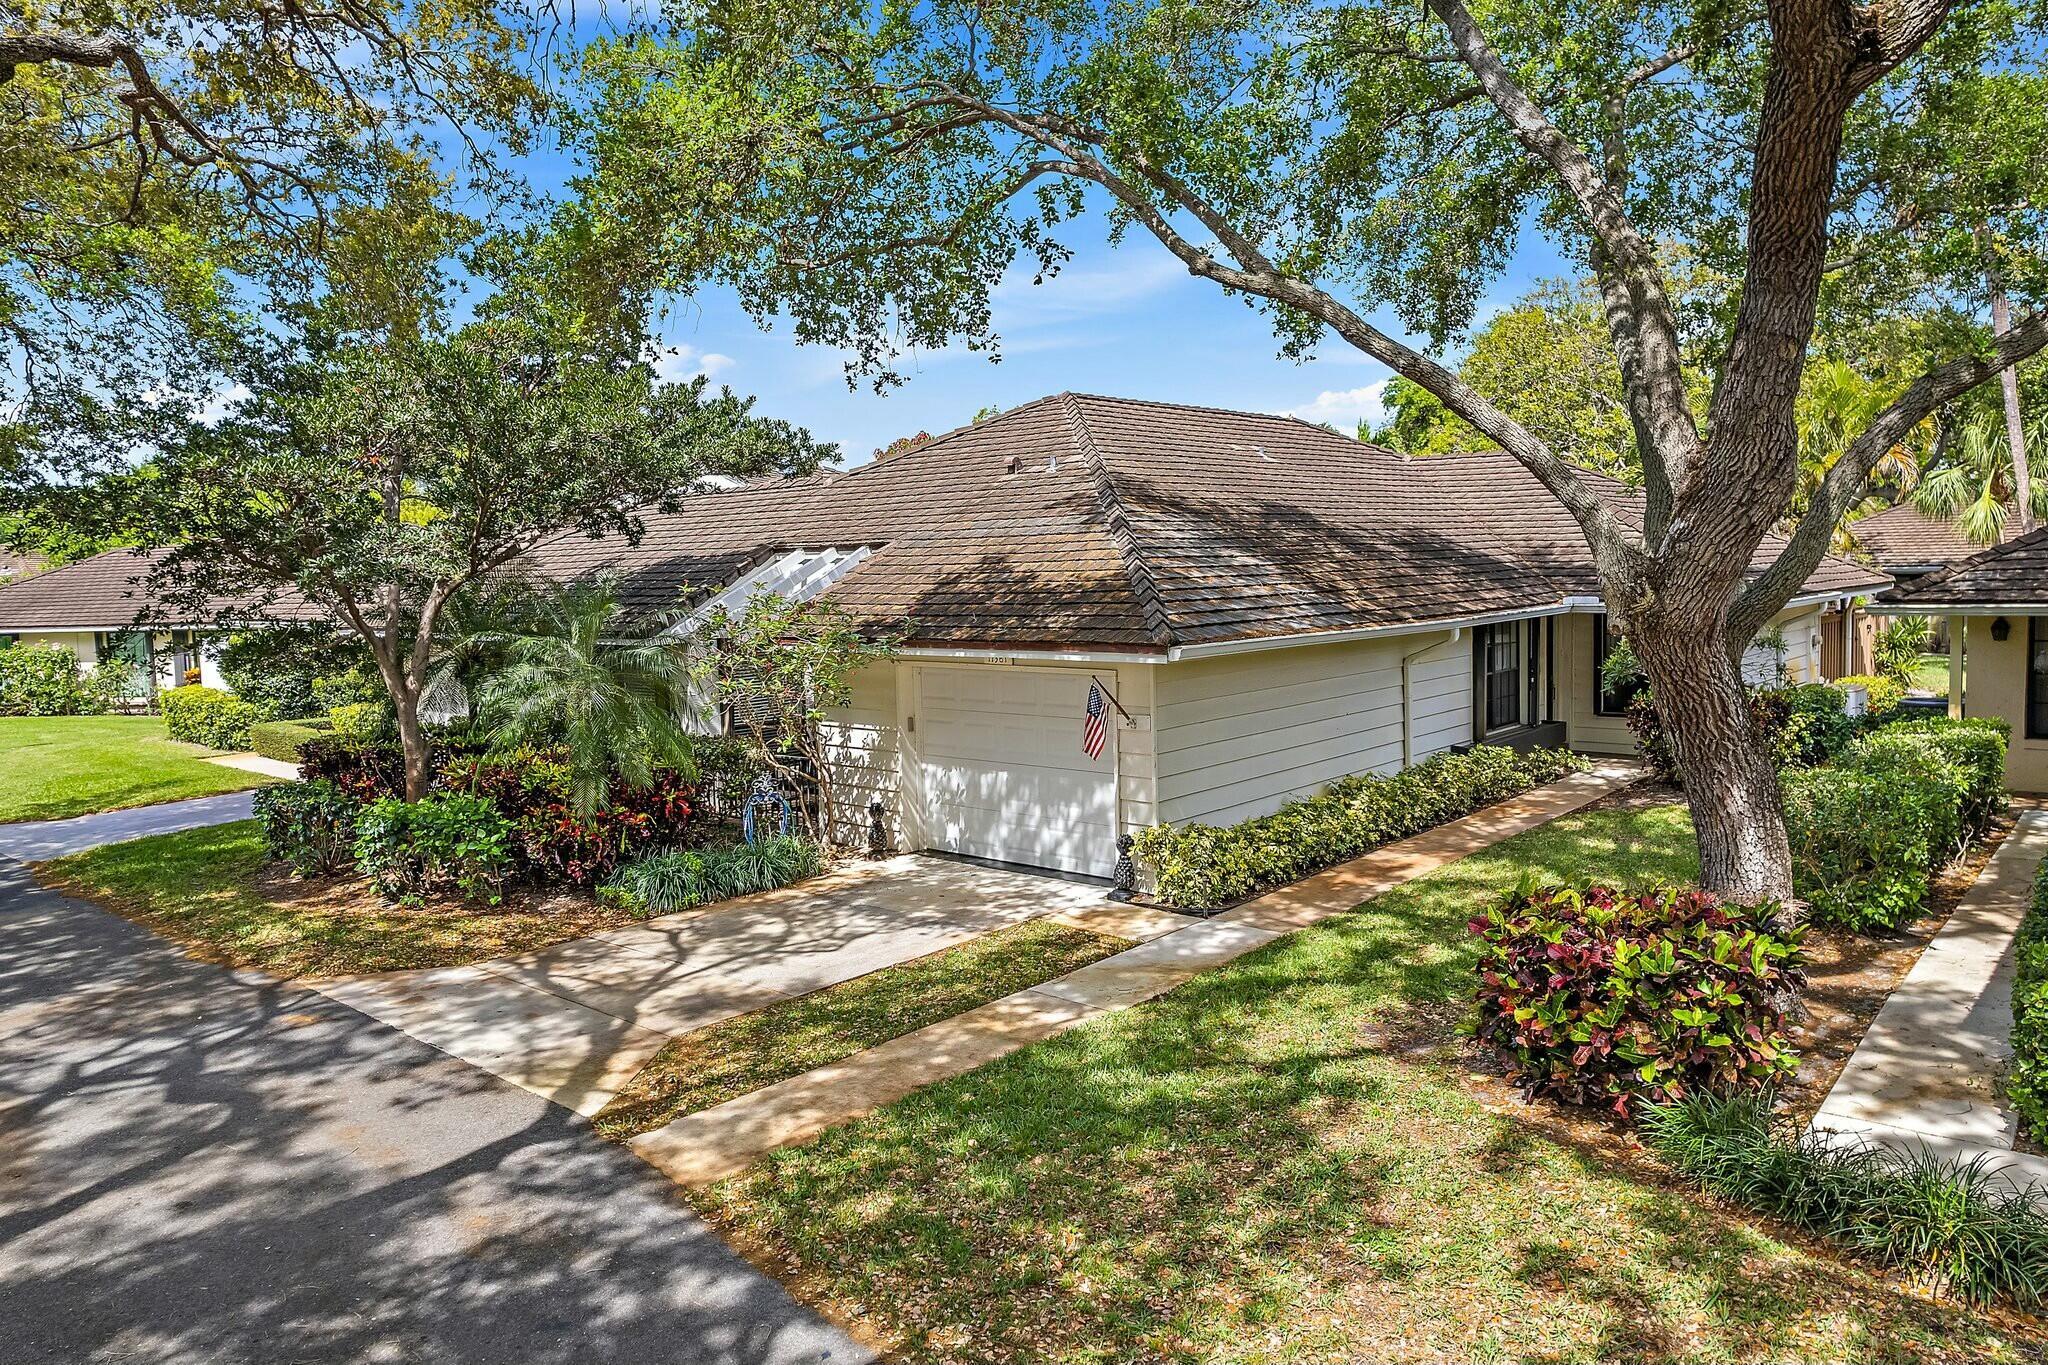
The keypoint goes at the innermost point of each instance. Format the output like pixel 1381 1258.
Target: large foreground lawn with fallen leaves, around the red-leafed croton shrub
pixel 1293 1159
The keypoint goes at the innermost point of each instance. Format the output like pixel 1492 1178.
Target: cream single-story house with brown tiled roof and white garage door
pixel 1265 605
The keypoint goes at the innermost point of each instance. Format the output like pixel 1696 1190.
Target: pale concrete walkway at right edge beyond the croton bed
pixel 1928 1071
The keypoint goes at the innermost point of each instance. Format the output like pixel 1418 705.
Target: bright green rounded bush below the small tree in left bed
pixel 435 846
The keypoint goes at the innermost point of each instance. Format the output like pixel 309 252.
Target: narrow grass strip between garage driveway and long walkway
pixel 753 1051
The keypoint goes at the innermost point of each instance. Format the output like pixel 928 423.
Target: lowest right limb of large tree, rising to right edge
pixel 1844 482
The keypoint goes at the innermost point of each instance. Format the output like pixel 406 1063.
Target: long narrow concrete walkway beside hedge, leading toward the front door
pixel 726 1139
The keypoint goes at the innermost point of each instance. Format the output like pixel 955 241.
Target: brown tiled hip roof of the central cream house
pixel 1095 523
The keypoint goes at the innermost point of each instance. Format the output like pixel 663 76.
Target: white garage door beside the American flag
pixel 1005 773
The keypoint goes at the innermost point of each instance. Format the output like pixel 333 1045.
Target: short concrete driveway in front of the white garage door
pixel 577 1020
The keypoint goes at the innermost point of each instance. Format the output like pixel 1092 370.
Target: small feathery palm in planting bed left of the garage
pixel 593 682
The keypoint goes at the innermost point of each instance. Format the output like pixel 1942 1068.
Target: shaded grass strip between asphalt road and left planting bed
pixel 214 891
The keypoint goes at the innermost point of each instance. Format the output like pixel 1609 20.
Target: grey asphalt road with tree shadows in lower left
pixel 206 1168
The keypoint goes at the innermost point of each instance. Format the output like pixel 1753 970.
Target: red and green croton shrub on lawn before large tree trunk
pixel 1609 998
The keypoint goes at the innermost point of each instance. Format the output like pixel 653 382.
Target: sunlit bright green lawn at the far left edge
pixel 58 766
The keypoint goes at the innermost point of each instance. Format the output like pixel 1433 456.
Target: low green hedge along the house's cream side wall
pixel 1203 867
